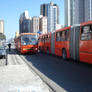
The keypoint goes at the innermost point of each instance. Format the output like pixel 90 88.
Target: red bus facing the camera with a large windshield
pixel 27 43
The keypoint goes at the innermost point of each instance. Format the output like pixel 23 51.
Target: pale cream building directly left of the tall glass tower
pixel 43 24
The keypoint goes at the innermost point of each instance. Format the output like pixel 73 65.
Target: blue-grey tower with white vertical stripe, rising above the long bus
pixel 74 12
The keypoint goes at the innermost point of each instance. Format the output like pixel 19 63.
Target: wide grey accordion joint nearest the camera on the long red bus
pixel 74 42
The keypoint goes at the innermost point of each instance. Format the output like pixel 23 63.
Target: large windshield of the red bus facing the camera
pixel 29 40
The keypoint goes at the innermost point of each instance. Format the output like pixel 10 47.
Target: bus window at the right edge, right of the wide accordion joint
pixel 86 32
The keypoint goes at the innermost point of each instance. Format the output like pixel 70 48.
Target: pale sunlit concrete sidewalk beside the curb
pixel 19 78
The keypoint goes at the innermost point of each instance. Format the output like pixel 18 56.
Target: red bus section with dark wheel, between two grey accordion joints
pixel 62 42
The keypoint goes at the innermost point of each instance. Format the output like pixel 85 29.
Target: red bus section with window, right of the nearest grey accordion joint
pixel 86 44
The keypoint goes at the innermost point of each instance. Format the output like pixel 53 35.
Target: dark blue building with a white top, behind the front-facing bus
pixel 25 23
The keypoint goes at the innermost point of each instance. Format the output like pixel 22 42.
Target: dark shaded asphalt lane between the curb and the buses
pixel 73 77
